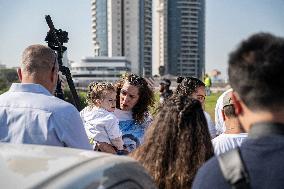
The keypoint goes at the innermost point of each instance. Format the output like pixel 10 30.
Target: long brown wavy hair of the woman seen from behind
pixel 176 144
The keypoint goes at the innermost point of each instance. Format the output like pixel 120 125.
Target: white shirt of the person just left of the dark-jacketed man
pixel 226 142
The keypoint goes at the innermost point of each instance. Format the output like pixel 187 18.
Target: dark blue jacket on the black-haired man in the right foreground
pixel 263 155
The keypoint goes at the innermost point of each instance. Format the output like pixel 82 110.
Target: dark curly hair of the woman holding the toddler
pixel 146 95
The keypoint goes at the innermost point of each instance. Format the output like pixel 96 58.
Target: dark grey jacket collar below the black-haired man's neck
pixel 262 129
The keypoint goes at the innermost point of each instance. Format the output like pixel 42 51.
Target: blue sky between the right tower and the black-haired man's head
pixel 230 21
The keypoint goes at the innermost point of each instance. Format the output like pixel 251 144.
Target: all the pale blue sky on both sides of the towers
pixel 22 23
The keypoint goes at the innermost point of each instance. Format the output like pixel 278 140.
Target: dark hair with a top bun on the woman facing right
pixel 188 85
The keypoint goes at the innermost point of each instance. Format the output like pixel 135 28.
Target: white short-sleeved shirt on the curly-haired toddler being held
pixel 100 125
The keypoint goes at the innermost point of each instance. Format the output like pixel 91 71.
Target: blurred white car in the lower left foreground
pixel 37 166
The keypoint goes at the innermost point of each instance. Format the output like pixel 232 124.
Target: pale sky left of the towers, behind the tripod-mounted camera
pixel 23 23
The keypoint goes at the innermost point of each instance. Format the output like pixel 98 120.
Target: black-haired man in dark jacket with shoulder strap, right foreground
pixel 256 70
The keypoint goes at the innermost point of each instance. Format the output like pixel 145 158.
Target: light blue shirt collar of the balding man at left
pixel 29 87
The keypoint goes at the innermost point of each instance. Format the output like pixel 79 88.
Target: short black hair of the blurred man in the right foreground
pixel 256 70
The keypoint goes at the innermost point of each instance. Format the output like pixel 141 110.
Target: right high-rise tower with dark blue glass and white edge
pixel 179 37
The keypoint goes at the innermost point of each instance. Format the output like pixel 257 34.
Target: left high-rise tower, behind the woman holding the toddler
pixel 124 28
